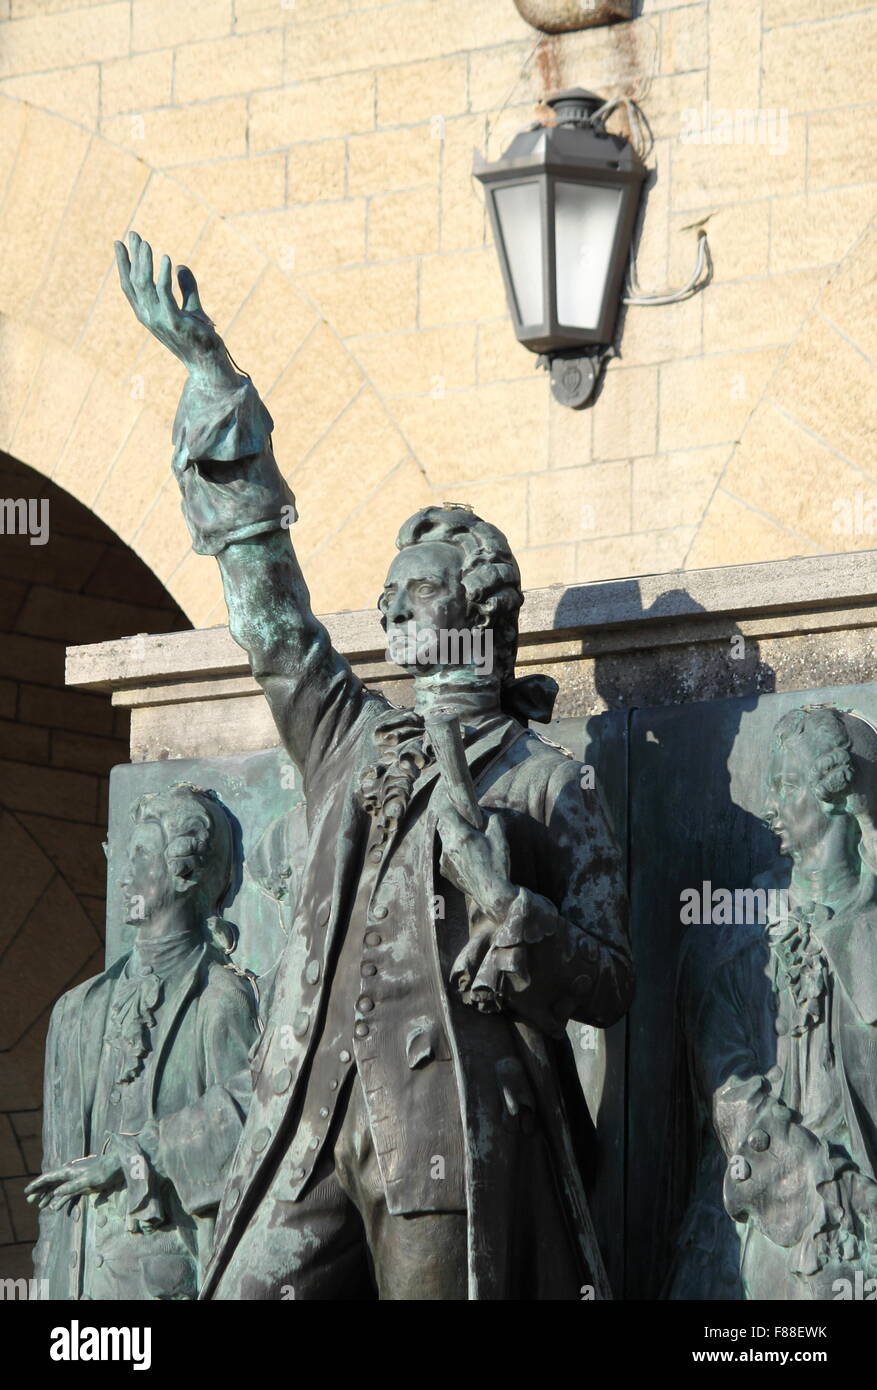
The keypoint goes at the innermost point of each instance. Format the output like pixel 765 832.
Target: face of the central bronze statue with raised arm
pixel 425 598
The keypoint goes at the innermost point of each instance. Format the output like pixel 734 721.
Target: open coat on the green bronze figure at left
pixel 197 1102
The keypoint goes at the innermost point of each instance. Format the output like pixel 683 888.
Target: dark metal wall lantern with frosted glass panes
pixel 564 204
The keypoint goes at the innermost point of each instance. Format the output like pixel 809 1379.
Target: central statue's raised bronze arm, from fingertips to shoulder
pixel 240 509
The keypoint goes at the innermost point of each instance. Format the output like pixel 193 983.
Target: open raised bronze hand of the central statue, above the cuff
pixel 186 330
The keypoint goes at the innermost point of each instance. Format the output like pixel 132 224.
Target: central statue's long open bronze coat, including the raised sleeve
pixel 572 913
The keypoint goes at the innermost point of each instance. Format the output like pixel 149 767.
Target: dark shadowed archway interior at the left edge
pixel 77 583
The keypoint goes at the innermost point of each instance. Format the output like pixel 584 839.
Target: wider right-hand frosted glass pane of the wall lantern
pixel 586 222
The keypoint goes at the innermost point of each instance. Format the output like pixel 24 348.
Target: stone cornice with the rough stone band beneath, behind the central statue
pixel 619 646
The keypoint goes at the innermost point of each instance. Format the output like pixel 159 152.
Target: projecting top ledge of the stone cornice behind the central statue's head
pixel 634 608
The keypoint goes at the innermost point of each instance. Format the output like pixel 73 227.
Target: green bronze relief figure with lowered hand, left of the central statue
pixel 147 1074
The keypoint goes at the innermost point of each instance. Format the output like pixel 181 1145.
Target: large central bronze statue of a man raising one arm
pixel 461 903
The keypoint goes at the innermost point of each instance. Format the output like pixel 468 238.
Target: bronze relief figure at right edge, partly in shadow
pixel 782 1033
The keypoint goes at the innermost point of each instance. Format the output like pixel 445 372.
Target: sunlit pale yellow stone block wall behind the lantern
pixel 313 163
